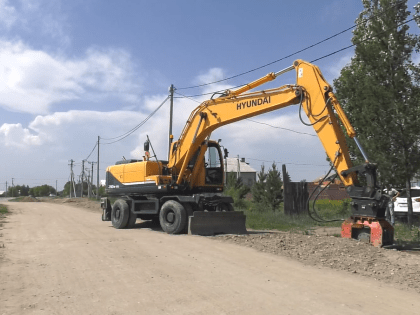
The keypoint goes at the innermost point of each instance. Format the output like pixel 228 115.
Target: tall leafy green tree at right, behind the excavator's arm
pixel 380 92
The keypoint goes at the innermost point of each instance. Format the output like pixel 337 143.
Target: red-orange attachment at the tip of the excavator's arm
pixel 377 232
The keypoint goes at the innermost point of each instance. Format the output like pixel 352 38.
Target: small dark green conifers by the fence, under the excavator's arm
pixel 267 192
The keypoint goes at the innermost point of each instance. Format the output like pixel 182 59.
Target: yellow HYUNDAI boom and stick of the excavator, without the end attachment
pixel 311 91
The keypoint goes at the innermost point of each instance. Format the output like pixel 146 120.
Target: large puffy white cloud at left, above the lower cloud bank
pixel 33 80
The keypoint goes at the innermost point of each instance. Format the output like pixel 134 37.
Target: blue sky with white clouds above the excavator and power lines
pixel 71 71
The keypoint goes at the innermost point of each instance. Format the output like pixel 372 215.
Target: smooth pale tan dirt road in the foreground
pixel 63 260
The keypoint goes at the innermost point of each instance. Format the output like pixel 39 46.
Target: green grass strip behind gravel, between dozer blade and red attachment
pixel 277 220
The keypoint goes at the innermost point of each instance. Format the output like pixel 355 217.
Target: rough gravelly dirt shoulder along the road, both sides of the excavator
pixel 321 249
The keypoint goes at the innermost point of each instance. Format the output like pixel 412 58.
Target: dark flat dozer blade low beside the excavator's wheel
pixel 214 222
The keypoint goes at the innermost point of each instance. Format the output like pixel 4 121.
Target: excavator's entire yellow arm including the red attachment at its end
pixel 315 96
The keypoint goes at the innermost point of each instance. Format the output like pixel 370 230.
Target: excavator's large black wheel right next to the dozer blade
pixel 173 217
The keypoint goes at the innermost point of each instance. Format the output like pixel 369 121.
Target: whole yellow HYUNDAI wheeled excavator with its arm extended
pixel 184 193
